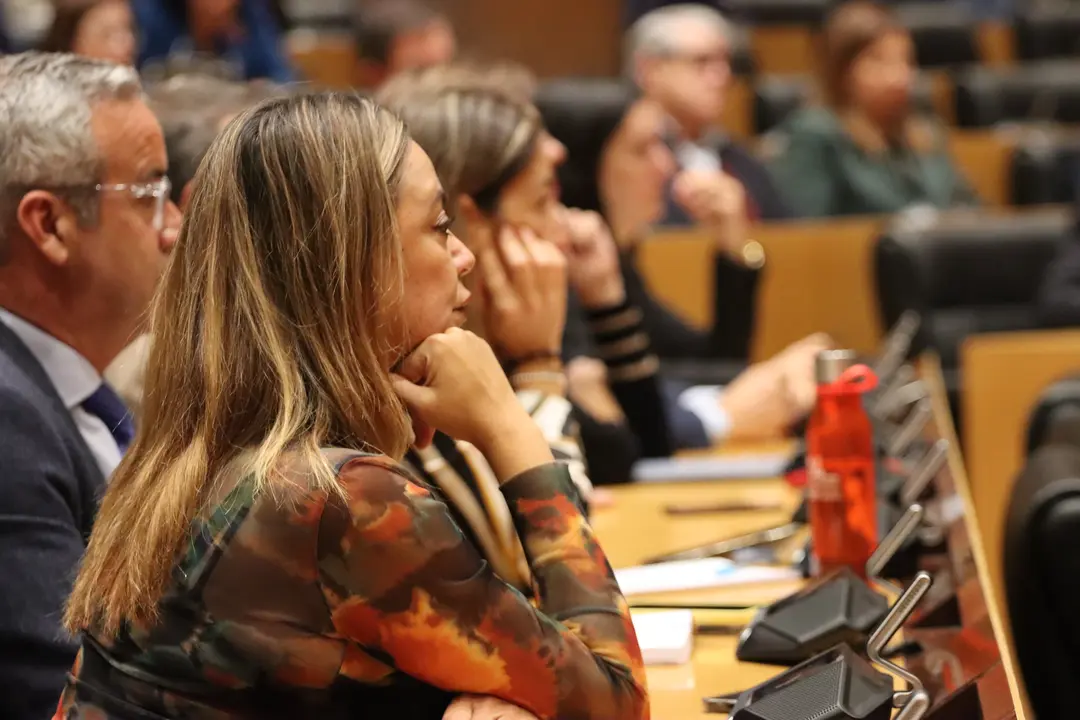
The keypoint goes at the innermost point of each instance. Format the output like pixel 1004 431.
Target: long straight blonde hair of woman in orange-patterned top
pixel 271 333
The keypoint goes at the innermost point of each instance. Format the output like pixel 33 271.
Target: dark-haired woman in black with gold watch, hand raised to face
pixel 620 167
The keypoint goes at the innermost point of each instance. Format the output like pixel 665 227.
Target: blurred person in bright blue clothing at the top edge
pixel 245 36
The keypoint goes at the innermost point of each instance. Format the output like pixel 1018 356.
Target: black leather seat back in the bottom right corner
pixel 1043 578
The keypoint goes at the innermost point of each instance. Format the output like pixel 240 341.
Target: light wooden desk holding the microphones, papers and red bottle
pixel 973 678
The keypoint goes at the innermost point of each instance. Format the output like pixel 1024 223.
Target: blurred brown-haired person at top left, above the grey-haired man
pixel 102 30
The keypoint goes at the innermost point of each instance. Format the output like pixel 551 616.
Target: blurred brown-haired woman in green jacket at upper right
pixel 865 152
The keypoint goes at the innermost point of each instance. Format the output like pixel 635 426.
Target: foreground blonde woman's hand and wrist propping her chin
pixel 453 383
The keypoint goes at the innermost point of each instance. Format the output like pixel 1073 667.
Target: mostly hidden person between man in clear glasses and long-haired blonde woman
pixel 193 111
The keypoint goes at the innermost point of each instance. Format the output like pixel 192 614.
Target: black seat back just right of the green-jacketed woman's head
pixel 944 33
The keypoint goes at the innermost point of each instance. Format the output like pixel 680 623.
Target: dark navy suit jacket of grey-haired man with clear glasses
pixel 50 486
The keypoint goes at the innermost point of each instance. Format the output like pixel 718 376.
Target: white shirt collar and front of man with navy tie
pixel 75 381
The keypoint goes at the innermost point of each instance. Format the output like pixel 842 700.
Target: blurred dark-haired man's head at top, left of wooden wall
pixel 394 36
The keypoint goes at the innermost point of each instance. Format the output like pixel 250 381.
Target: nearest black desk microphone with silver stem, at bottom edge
pixel 839 684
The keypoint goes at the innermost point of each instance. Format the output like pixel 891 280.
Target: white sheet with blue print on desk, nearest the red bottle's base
pixel 696 575
